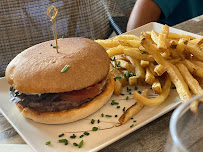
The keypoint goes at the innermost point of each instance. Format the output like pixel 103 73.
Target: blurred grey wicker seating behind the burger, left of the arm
pixel 24 23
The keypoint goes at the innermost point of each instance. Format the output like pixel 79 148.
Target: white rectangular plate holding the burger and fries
pixel 36 134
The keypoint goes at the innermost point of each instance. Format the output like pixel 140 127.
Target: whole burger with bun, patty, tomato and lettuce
pixel 56 88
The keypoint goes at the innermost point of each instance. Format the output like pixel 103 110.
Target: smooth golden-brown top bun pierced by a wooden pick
pixel 38 68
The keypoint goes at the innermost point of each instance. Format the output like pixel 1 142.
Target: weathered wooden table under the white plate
pixel 150 138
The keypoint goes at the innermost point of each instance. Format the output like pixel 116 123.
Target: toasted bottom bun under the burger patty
pixel 70 115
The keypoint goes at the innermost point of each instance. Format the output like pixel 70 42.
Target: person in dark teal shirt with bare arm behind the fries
pixel 168 12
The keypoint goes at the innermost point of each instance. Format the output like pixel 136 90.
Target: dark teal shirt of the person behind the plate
pixel 177 11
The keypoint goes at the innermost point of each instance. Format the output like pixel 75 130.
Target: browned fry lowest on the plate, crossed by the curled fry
pixel 133 110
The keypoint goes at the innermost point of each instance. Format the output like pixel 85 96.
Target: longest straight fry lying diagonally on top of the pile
pixel 172 70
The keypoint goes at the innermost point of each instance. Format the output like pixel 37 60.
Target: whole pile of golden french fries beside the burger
pixel 154 58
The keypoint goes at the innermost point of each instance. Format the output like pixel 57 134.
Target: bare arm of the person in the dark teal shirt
pixel 144 11
